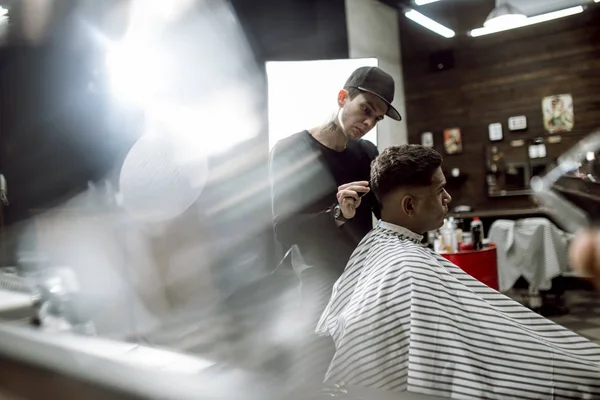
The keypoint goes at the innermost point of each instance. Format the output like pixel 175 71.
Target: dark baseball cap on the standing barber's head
pixel 377 82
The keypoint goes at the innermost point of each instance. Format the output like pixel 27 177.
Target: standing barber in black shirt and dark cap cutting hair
pixel 320 177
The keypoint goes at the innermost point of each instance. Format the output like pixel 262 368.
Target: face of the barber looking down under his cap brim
pixel 359 115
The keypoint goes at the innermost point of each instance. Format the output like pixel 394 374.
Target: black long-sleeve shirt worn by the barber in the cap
pixel 305 176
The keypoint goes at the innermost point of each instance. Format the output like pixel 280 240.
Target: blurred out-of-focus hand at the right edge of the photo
pixel 584 255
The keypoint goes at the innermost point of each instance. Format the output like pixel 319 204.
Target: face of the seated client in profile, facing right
pixel 431 203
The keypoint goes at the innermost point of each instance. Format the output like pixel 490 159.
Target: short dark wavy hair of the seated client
pixel 406 165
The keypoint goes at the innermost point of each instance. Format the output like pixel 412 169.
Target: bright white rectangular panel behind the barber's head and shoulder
pixel 303 94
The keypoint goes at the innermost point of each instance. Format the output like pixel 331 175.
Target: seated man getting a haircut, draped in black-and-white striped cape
pixel 404 318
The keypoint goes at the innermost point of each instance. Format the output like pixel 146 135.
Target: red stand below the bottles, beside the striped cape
pixel 480 264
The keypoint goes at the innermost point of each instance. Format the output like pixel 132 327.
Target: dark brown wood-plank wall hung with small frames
pixel 496 77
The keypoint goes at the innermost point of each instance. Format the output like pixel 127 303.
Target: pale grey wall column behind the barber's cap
pixel 373 32
